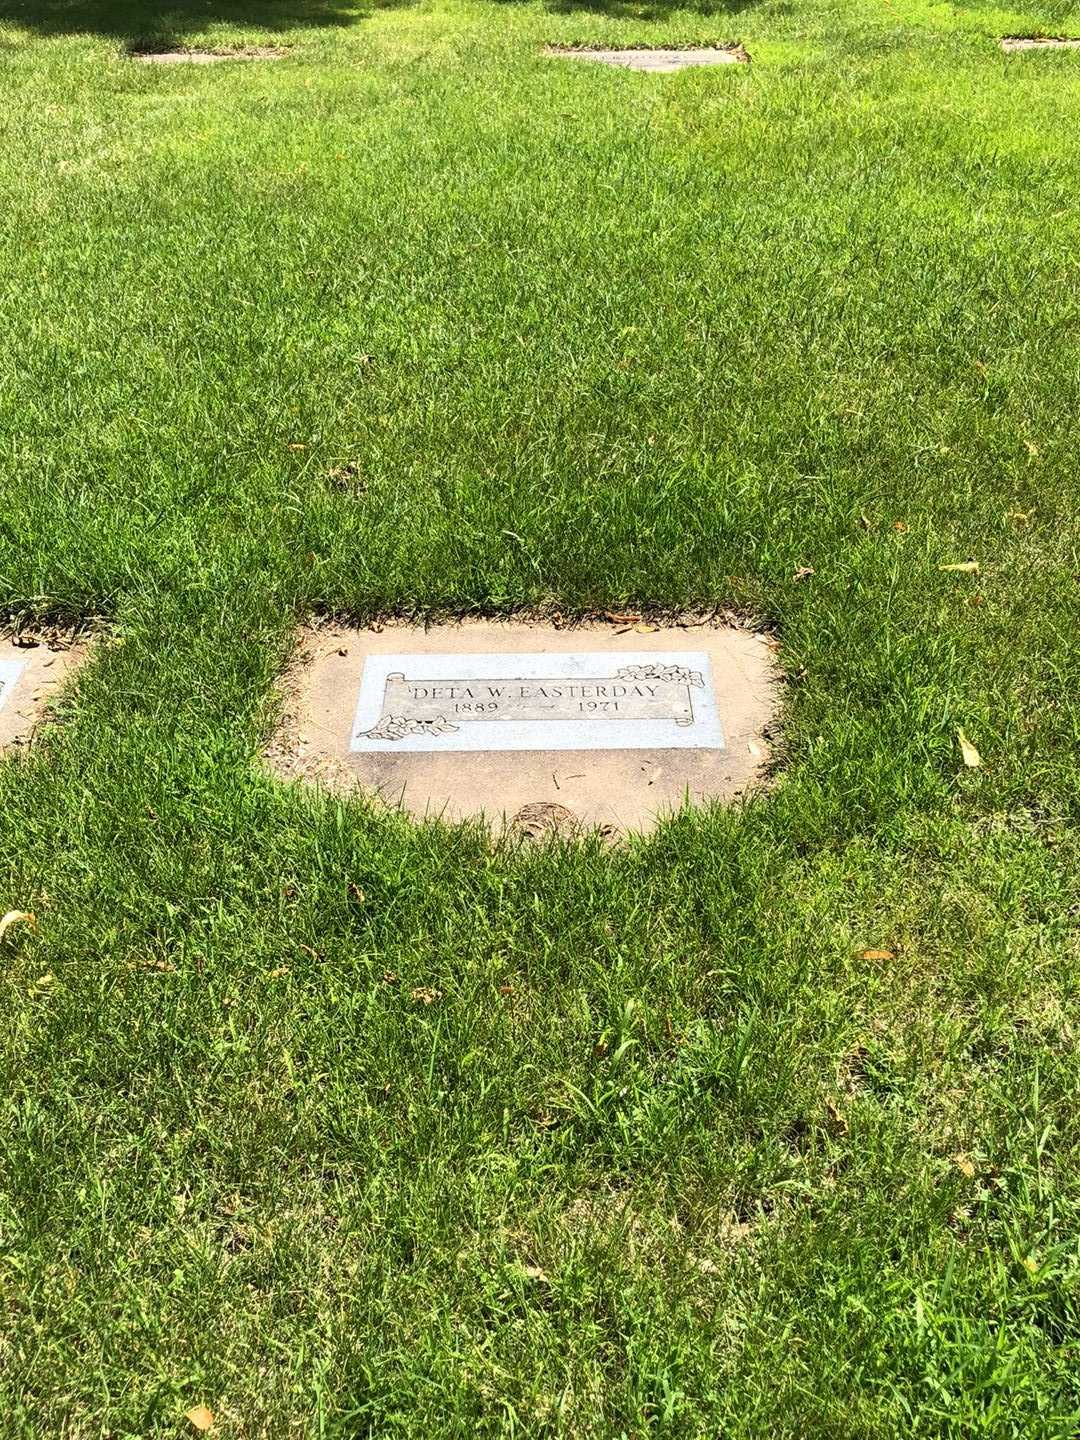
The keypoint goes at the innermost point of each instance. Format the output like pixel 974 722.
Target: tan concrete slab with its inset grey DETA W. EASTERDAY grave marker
pixel 531 726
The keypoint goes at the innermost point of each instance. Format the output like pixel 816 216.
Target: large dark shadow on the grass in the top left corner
pixel 140 22
